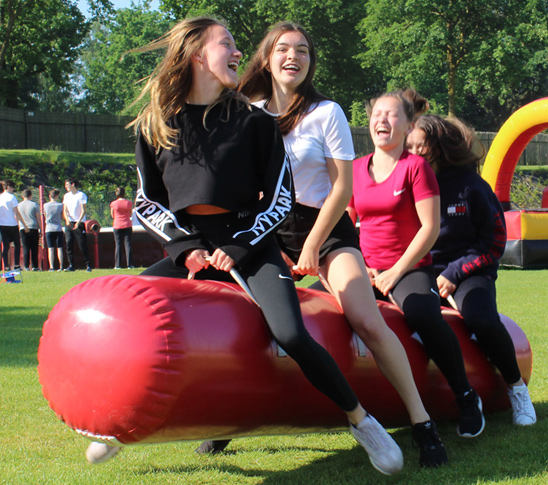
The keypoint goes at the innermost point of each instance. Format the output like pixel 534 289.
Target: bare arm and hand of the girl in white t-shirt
pixel 340 174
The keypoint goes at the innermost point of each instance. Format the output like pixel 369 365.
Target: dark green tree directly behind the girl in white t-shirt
pixel 331 24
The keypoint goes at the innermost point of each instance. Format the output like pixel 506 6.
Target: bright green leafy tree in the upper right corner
pixel 454 50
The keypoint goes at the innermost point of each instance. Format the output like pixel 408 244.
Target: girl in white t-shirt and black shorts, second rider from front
pixel 318 237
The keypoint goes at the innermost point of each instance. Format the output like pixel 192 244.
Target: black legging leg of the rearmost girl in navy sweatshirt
pixel 477 302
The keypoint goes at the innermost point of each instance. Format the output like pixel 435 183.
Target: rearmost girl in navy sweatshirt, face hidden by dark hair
pixel 471 241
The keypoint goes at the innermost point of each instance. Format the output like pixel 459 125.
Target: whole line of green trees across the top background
pixel 477 60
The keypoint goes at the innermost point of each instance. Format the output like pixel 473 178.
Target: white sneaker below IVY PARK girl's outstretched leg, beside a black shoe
pixel 385 455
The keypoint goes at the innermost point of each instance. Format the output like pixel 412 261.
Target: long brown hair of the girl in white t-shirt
pixel 256 82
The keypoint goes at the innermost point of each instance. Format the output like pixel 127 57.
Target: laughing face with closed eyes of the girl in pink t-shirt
pixel 388 123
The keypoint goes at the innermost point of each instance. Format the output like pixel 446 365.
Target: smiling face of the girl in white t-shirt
pixel 289 61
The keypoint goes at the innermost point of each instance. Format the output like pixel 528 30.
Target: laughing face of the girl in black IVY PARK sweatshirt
pixel 220 57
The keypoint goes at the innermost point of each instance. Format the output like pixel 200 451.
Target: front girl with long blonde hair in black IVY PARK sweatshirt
pixel 214 185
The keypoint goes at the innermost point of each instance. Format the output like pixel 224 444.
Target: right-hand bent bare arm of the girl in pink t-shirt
pixel 428 211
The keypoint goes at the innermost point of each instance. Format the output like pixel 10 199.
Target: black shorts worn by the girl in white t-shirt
pixel 293 232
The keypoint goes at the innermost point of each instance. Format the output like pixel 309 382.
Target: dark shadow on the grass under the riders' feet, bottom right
pixel 503 453
